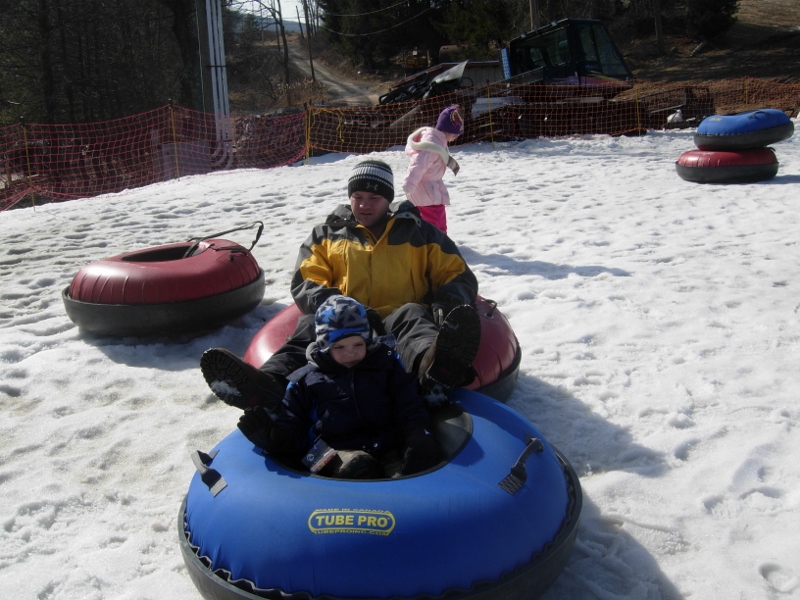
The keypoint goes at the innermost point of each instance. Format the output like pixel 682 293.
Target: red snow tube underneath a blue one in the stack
pixel 744 166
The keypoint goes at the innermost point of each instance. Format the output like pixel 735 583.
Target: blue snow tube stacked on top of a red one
pixel 743 131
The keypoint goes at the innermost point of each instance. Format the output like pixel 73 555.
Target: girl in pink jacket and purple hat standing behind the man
pixel 430 157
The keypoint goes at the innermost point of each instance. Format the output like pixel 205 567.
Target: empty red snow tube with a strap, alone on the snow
pixel 194 285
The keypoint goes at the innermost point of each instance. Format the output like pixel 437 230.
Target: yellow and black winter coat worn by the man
pixel 412 261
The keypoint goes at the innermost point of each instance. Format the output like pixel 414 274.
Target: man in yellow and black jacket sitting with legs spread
pixel 410 276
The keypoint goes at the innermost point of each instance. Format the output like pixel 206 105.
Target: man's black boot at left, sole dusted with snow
pixel 238 383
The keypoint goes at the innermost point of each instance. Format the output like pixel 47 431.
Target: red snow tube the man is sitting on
pixel 497 362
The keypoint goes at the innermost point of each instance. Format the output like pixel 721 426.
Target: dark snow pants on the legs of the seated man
pixel 412 326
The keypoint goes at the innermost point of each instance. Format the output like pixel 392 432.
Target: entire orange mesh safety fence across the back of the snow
pixel 64 162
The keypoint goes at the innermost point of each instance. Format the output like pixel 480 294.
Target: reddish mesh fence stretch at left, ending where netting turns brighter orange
pixel 66 162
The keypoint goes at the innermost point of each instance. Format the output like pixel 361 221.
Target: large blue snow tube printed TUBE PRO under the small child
pixel 497 518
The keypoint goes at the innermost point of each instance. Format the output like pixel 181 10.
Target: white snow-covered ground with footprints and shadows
pixel 658 320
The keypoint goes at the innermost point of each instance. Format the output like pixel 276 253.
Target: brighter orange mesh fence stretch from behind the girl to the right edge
pixel 497 112
